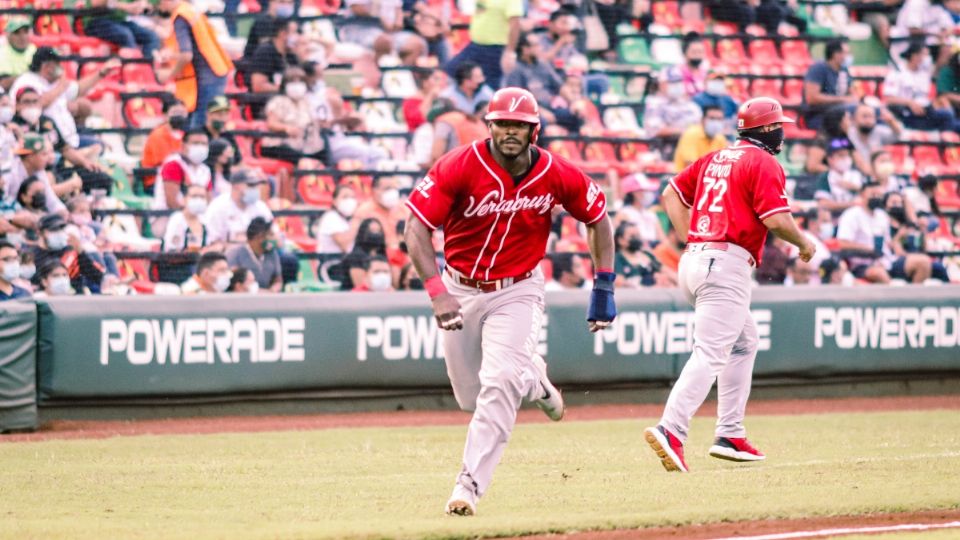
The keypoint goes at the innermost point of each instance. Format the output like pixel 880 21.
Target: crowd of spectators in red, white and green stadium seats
pixel 175 147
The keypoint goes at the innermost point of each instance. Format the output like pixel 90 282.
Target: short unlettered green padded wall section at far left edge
pixel 18 351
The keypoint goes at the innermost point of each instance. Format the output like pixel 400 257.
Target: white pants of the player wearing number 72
pixel 718 285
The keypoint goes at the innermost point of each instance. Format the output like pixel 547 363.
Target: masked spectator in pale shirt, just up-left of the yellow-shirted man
pixel 671 111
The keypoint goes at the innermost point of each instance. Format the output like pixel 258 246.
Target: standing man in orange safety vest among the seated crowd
pixel 200 65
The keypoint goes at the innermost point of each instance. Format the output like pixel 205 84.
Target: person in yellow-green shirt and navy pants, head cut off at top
pixel 493 42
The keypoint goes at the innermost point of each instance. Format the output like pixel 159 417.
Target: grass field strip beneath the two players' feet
pixel 394 482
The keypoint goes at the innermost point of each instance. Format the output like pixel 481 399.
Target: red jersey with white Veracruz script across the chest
pixel 494 227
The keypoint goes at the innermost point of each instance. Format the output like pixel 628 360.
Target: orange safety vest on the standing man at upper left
pixel 206 40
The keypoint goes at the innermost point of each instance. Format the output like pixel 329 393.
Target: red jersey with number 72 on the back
pixel 730 192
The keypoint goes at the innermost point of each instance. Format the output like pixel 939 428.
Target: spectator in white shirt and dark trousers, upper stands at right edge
pixel 907 92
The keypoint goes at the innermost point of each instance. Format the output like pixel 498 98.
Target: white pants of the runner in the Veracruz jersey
pixel 491 368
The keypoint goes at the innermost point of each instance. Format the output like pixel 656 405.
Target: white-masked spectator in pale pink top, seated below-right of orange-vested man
pixel 290 114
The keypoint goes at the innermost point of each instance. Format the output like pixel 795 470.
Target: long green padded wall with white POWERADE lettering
pixel 167 346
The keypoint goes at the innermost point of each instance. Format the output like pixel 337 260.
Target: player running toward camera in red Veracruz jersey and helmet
pixel 493 199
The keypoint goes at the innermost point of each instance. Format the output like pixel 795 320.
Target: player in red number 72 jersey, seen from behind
pixel 724 204
